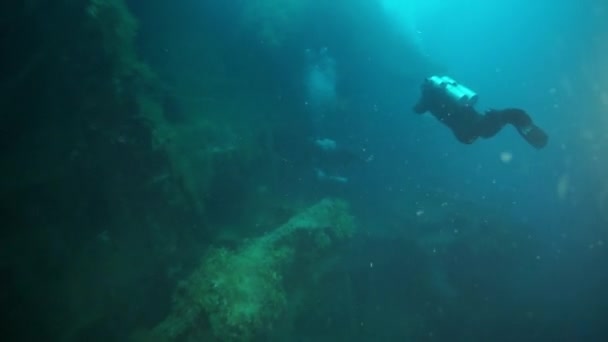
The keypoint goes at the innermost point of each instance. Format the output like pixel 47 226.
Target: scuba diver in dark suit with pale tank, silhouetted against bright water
pixel 452 104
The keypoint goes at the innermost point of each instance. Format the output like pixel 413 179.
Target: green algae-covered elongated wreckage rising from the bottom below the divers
pixel 241 292
